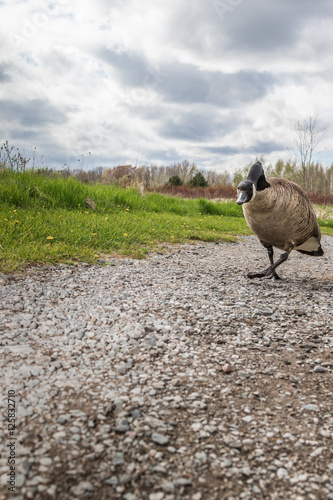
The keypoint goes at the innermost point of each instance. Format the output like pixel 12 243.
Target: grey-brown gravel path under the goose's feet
pixel 170 378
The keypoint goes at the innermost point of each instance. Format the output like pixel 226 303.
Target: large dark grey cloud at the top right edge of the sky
pixel 216 26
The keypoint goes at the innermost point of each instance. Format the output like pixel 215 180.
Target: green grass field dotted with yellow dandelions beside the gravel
pixel 46 220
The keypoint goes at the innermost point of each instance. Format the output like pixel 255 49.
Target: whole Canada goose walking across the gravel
pixel 280 214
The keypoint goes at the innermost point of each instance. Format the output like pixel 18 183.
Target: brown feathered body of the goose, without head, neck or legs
pixel 282 216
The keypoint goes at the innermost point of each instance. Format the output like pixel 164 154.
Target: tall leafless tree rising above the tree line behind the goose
pixel 307 139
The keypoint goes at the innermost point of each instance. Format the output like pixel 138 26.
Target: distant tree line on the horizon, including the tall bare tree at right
pixel 301 167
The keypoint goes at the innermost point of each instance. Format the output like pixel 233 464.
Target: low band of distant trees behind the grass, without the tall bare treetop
pixel 314 177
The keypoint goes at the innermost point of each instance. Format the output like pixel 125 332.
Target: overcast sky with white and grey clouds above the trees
pixel 217 82
